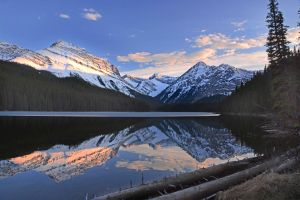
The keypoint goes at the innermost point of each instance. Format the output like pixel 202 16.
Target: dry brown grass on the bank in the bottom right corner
pixel 270 186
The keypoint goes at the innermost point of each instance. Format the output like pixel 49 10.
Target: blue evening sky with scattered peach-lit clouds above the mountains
pixel 143 37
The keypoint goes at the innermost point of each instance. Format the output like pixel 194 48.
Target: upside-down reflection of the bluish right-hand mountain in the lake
pixel 202 141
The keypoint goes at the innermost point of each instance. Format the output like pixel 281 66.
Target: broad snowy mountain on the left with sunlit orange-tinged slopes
pixel 64 59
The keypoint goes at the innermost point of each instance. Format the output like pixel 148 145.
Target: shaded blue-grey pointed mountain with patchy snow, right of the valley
pixel 202 81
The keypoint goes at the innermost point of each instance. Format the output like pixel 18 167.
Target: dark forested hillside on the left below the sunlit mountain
pixel 25 88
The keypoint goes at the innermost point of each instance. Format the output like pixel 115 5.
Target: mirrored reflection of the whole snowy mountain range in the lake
pixel 194 140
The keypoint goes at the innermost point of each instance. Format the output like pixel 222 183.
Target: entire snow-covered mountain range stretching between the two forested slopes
pixel 64 59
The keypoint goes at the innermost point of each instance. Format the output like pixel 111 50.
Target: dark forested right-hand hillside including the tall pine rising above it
pixel 276 91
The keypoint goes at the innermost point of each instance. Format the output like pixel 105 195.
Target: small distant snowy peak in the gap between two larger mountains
pixel 152 86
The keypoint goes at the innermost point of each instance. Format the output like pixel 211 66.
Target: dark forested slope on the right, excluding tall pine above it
pixel 275 91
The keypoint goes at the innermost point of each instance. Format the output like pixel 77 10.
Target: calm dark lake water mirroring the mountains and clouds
pixel 74 158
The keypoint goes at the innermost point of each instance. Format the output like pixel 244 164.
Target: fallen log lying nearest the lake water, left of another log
pixel 181 180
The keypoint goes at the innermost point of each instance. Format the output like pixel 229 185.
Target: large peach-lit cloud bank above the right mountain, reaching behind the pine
pixel 213 49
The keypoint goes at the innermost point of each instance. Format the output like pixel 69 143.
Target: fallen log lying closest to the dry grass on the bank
pixel 212 187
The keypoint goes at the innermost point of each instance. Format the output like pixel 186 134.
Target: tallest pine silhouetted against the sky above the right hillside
pixel 277 44
